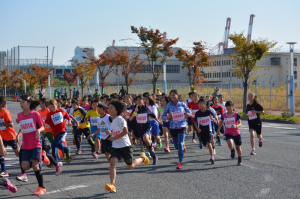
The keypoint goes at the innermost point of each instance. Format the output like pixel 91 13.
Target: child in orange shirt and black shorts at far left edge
pixel 7 133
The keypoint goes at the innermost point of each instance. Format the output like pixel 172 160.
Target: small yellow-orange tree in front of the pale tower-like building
pixel 84 71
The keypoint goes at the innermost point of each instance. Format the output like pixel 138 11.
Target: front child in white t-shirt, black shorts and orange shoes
pixel 121 146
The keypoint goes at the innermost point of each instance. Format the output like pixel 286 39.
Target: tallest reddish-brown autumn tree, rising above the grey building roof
pixel 157 49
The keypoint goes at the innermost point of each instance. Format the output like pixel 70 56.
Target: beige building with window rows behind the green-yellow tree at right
pixel 274 67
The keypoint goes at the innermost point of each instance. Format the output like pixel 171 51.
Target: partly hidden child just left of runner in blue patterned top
pixel 166 124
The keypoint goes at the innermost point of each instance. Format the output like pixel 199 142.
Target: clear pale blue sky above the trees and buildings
pixel 66 24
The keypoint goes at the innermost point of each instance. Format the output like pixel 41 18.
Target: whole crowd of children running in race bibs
pixel 113 125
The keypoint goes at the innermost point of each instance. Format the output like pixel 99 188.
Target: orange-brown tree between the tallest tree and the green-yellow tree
pixel 194 61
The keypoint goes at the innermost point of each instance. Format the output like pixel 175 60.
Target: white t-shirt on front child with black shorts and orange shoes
pixel 117 128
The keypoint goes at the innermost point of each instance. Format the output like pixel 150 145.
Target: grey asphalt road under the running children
pixel 272 173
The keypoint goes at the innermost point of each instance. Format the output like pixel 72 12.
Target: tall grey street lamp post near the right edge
pixel 292 103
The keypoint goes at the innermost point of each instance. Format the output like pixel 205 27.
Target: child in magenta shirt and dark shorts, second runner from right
pixel 232 121
